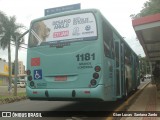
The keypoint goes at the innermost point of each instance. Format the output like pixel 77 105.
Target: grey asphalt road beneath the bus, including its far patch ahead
pixel 61 107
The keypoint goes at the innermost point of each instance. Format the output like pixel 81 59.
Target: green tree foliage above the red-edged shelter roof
pixel 149 7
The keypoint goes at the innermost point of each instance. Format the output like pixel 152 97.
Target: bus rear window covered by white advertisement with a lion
pixel 71 28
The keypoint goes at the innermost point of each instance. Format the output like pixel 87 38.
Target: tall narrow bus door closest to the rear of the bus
pixel 118 86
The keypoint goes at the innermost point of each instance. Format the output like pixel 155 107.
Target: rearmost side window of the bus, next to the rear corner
pixel 108 40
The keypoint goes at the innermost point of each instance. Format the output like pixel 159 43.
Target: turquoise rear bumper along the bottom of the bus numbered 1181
pixel 96 93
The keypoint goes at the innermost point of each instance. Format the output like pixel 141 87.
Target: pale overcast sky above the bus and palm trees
pixel 117 12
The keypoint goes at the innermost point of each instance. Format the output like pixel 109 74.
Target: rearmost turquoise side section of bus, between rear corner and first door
pixel 108 61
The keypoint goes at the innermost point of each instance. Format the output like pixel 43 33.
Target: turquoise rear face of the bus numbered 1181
pixel 63 57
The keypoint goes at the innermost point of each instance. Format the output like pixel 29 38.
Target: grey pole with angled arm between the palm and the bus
pixel 16 62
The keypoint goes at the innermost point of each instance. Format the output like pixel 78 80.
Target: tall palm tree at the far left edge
pixel 9 31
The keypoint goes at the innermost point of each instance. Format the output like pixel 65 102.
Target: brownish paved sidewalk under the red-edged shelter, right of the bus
pixel 148 100
